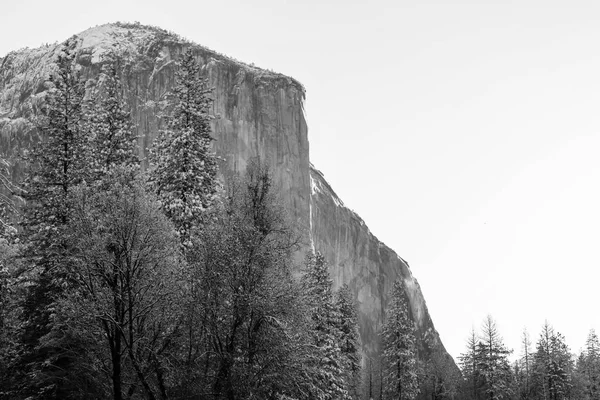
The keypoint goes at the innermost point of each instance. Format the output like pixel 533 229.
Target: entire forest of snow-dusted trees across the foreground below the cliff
pixel 123 278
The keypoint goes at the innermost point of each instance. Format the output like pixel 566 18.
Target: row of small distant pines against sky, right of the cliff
pixel 544 370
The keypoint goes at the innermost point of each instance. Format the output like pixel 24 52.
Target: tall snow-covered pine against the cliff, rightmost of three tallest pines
pixel 184 173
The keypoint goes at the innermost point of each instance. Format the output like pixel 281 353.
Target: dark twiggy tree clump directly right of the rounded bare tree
pixel 245 323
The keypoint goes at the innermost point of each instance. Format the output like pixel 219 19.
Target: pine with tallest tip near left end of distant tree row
pixel 493 362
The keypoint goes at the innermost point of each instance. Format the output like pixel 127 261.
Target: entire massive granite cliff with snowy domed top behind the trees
pixel 258 113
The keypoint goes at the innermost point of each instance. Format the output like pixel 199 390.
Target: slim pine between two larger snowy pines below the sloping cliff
pixel 349 339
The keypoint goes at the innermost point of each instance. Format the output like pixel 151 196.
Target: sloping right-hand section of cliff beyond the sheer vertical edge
pixel 368 266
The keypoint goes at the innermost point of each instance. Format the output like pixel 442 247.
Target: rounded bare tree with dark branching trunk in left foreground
pixel 128 273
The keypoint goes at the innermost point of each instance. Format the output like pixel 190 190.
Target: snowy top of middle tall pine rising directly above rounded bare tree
pixel 113 140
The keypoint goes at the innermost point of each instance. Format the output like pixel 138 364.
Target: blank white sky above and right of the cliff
pixel 466 133
